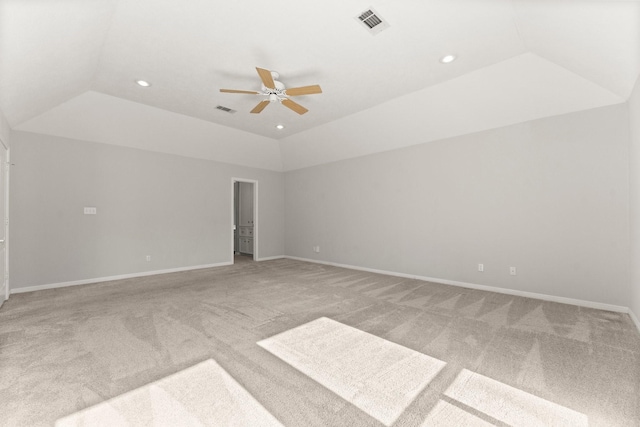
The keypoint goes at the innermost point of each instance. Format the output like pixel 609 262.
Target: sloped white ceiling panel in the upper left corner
pixel 50 54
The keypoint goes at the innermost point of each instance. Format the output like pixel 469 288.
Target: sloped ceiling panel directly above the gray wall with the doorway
pixel 97 117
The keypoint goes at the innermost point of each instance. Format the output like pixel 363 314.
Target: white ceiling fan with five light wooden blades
pixel 275 91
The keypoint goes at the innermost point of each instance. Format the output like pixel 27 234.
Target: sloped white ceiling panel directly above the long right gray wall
pixel 524 88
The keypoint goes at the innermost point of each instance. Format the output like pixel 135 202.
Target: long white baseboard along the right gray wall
pixel 545 297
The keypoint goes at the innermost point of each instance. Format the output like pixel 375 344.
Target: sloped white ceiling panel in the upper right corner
pixel 597 39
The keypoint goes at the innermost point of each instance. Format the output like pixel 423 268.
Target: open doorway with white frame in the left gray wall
pixel 244 219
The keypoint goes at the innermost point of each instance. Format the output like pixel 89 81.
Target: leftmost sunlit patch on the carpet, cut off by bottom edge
pixel 202 395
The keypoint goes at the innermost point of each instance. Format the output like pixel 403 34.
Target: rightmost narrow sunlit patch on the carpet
pixel 509 404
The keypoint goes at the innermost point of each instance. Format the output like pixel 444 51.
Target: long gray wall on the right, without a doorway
pixel 550 197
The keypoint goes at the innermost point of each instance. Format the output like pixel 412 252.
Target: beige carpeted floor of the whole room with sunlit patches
pixel 313 345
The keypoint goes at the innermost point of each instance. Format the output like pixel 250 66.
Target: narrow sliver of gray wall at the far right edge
pixel 634 158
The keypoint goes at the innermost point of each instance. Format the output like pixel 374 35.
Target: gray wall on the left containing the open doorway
pixel 176 209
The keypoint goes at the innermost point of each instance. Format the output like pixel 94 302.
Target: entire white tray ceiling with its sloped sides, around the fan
pixel 68 68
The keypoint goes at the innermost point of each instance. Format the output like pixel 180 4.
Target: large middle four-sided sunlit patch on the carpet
pixel 377 376
